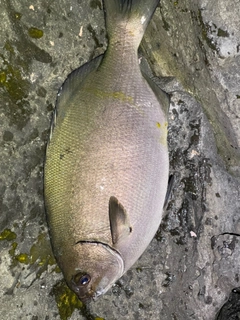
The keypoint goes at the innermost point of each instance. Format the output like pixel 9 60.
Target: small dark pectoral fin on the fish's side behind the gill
pixel 119 222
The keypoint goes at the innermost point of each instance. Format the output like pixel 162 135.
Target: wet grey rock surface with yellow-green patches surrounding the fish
pixel 192 264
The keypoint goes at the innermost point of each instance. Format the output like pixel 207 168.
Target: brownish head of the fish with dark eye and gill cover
pixel 92 269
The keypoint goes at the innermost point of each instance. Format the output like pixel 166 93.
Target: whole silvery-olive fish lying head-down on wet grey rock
pixel 106 168
